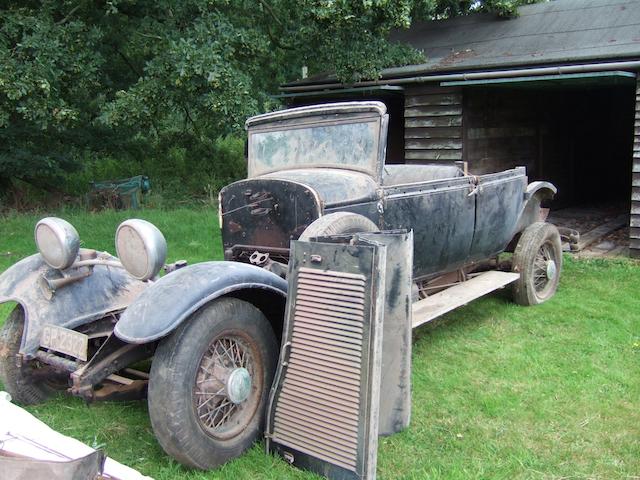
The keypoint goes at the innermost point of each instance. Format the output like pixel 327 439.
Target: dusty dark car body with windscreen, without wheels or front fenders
pixel 457 219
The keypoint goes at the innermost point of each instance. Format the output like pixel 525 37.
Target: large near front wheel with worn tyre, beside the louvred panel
pixel 218 341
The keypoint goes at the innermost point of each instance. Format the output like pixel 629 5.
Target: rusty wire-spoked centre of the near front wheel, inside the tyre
pixel 224 391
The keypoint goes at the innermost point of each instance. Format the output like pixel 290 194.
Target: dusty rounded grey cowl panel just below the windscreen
pixel 334 187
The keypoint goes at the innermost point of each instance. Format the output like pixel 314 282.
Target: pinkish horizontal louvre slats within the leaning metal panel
pixel 318 407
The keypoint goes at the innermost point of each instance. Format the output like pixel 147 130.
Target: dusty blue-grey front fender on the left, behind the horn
pixel 107 289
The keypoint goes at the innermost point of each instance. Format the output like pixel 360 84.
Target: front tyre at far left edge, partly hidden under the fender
pixel 19 380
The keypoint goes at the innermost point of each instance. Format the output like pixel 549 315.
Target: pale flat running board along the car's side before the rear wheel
pixel 432 307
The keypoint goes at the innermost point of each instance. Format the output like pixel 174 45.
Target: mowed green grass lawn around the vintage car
pixel 499 391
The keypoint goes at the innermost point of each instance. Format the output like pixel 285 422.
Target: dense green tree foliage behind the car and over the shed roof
pixel 126 87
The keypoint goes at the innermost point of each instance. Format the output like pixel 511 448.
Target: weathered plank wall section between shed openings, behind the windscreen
pixel 433 125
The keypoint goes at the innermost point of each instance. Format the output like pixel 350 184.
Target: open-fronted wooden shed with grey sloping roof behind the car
pixel 554 89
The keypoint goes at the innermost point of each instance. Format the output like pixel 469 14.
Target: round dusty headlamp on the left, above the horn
pixel 58 242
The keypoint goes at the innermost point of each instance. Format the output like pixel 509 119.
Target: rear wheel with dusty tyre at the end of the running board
pixel 538 259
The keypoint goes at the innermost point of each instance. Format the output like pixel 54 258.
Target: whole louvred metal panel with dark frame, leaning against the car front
pixel 323 413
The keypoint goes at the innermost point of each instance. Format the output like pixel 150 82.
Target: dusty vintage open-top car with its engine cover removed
pixel 86 321
